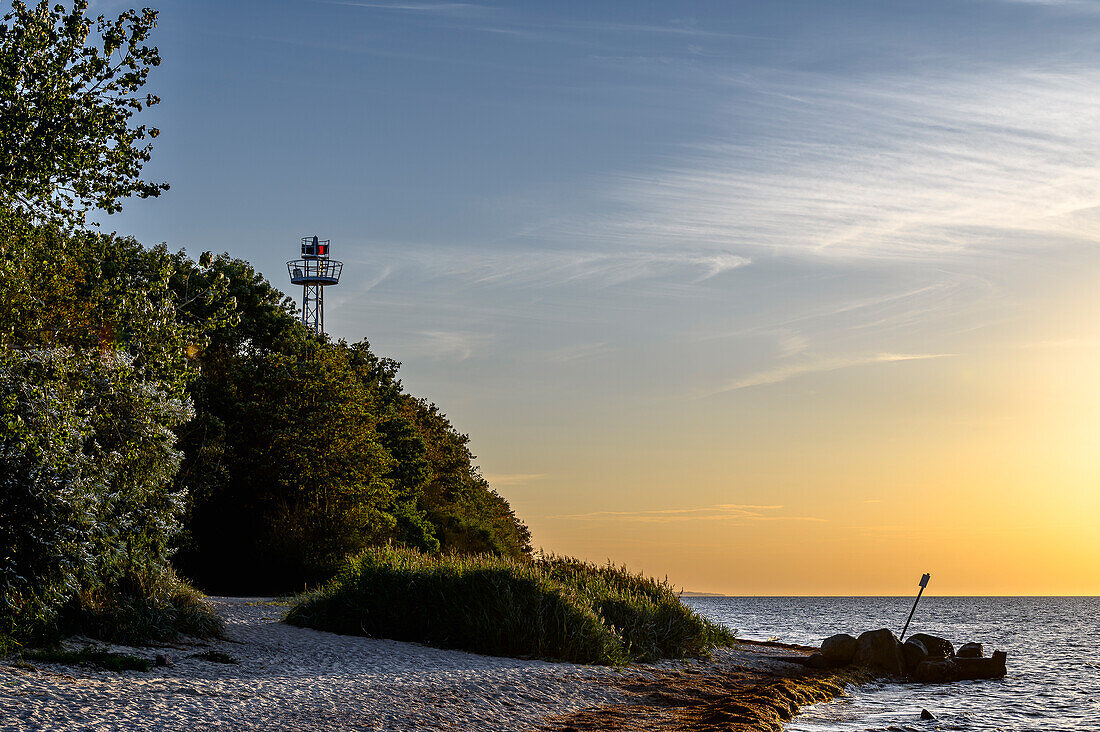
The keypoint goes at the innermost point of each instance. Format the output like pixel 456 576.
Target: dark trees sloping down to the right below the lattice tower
pixel 304 452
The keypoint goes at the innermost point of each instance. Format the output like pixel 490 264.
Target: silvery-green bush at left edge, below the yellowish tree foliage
pixel 86 461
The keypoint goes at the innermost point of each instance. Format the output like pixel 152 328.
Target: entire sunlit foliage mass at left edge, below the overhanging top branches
pixel 93 373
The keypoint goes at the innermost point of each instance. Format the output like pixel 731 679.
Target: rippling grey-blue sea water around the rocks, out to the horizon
pixel 1054 660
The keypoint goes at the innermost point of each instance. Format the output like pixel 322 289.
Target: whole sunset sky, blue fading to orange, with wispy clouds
pixel 767 298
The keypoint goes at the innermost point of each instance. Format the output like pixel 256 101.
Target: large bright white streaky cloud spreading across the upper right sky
pixel 884 168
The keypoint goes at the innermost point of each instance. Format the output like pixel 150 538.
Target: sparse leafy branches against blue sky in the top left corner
pixel 67 103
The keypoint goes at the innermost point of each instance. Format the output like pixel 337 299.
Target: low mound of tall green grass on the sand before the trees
pixel 551 608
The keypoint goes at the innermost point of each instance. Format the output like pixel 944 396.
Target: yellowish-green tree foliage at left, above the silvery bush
pixel 96 293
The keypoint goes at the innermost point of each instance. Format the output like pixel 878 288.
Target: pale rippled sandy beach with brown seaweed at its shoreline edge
pixel 292 679
